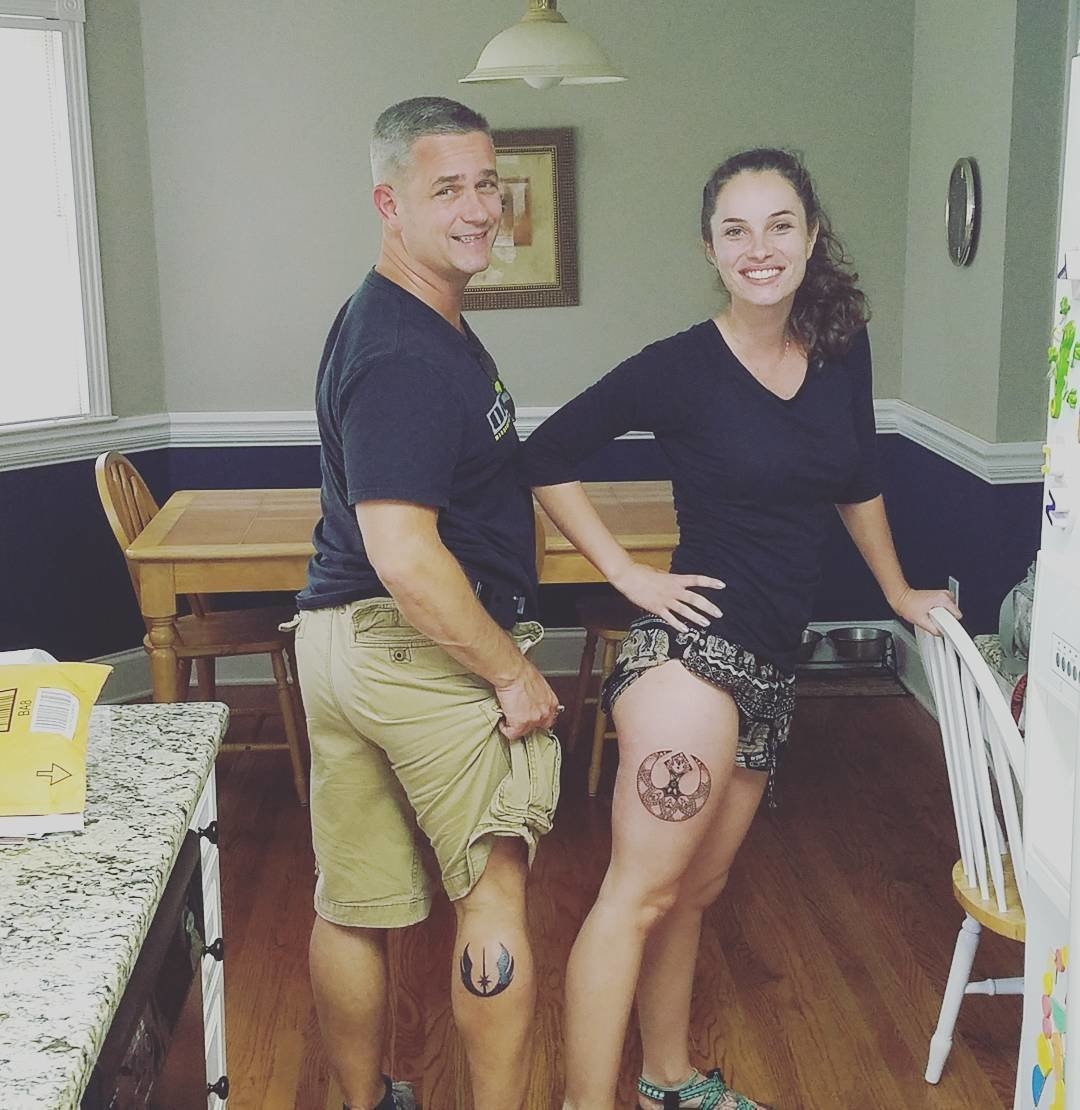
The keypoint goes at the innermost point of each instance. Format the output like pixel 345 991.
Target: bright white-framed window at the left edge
pixel 53 356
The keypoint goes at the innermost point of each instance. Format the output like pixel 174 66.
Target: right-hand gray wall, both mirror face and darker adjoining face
pixel 987 83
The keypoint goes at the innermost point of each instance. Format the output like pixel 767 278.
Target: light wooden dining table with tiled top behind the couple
pixel 255 541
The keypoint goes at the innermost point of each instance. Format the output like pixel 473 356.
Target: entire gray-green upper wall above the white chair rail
pixel 230 158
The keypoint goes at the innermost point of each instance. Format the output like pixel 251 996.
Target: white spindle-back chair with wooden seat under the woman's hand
pixel 988 881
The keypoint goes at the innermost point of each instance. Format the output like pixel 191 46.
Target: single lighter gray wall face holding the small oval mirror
pixel 962 105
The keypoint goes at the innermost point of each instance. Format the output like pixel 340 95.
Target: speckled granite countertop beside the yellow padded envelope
pixel 75 910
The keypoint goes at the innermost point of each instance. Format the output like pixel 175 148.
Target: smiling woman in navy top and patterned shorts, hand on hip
pixel 765 416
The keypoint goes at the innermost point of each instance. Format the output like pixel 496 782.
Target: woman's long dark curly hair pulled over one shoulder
pixel 830 308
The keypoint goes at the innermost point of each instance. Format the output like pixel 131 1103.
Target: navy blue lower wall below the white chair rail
pixel 64 586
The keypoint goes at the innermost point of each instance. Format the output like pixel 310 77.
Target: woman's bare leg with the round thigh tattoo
pixel 678 738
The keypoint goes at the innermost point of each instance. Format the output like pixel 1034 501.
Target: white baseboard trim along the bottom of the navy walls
pixel 559 654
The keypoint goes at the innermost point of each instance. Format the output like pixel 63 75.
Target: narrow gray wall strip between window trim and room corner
pixel 129 264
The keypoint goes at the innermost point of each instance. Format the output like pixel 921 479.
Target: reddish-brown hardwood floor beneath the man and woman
pixel 822 968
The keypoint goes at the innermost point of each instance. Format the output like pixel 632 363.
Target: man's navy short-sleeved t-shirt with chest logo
pixel 410 409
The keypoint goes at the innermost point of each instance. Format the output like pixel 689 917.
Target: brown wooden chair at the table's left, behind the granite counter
pixel 207 634
